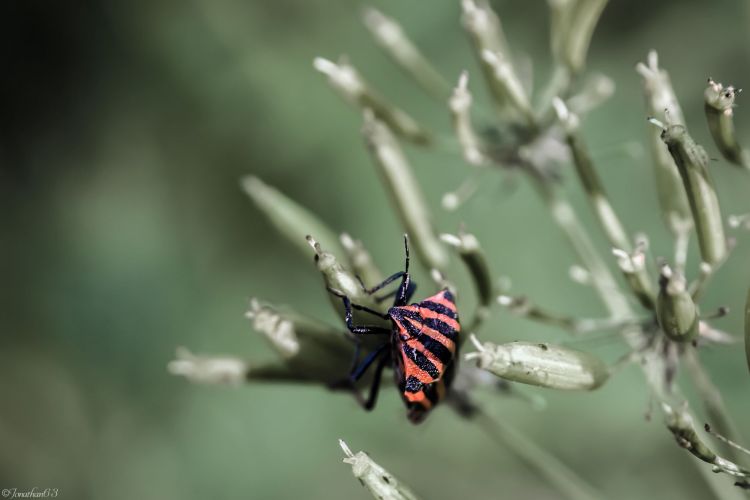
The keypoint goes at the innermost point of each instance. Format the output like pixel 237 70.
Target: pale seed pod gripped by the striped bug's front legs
pixel 340 279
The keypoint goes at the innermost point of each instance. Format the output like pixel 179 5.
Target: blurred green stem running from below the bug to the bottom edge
pixel 565 480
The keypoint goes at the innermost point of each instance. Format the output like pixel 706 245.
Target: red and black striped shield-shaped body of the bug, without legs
pixel 425 345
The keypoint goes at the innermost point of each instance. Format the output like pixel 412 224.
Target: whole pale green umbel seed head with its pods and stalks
pixel 536 132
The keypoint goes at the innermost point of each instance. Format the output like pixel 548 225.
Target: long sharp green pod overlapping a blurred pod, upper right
pixel 692 163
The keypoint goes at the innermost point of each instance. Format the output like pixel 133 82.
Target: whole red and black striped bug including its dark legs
pixel 422 348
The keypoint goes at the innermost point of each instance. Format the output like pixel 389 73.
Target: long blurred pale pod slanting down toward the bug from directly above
pixel 404 189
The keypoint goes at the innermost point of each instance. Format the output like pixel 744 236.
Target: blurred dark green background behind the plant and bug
pixel 127 127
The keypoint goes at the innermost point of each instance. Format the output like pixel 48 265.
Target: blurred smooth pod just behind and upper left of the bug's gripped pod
pixel 290 219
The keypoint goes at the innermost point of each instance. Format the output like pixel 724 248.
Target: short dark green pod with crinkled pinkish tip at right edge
pixel 719 104
